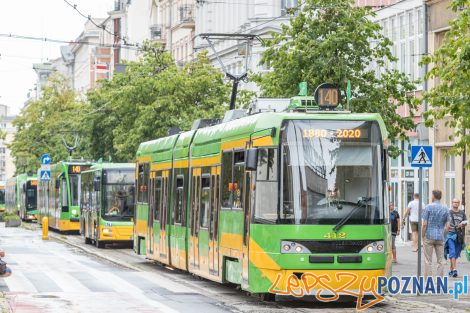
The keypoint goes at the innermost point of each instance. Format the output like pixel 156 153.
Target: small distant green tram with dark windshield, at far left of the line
pixel 21 197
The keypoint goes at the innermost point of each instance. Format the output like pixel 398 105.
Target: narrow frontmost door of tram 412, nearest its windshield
pixel 247 201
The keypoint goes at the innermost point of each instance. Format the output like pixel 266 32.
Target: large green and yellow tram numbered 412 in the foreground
pixel 257 199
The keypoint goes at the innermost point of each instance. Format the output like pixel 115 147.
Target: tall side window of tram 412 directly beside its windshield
pixel 267 185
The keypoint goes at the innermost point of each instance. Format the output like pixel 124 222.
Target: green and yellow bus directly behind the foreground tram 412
pixel 107 203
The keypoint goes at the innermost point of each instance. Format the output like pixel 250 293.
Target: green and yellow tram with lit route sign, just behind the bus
pixel 59 198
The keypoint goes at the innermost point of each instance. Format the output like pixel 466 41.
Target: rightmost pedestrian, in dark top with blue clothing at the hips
pixel 455 240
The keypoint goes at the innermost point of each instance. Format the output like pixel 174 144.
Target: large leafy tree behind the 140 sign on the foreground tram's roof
pixel 334 41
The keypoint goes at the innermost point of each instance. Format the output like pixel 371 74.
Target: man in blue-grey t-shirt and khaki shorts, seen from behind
pixel 436 223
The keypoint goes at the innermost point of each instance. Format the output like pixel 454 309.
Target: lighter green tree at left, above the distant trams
pixel 42 124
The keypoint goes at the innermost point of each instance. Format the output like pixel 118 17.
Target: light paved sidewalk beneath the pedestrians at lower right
pixel 407 265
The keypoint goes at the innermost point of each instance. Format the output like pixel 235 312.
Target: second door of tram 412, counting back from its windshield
pixel 214 223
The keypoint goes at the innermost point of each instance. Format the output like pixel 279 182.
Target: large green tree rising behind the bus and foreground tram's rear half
pixel 150 97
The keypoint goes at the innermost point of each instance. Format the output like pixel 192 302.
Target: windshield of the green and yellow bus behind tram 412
pixel 119 195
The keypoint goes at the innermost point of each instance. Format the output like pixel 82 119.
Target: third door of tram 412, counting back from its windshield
pixel 194 222
